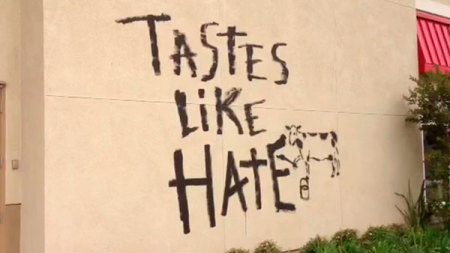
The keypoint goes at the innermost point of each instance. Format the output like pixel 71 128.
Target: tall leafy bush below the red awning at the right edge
pixel 430 108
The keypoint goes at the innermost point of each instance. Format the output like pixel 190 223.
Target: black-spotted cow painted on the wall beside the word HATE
pixel 328 152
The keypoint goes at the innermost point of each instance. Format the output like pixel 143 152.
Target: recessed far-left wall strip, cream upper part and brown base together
pixel 10 187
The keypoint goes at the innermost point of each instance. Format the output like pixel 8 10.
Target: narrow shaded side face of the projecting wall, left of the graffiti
pixel 32 211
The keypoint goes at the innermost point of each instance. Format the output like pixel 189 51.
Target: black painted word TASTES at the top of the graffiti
pixel 183 50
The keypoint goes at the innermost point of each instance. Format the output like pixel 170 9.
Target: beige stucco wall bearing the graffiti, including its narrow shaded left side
pixel 113 137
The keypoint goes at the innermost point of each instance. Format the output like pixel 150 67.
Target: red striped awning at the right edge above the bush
pixel 433 34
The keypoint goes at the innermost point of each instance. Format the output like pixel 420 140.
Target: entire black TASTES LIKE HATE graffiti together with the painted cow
pixel 291 151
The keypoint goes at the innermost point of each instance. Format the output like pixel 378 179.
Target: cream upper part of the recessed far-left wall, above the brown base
pixel 10 73
